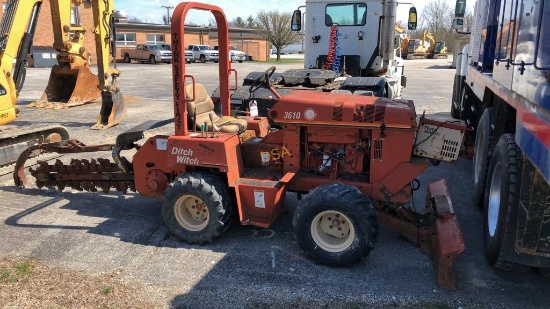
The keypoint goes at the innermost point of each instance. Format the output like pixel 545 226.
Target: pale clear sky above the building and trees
pixel 151 11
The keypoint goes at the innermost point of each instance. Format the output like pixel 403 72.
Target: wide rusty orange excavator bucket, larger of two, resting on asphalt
pixel 69 86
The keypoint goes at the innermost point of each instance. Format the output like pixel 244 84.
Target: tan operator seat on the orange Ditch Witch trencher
pixel 203 106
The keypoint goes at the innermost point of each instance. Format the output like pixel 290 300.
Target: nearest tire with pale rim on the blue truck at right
pixel 502 186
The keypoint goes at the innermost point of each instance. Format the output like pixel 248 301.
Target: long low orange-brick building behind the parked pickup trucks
pixel 129 34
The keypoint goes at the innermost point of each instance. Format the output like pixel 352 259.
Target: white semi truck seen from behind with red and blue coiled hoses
pixel 348 47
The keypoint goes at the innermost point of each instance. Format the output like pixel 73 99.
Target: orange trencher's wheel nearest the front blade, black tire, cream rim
pixel 336 225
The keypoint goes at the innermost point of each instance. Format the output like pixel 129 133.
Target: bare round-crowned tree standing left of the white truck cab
pixel 274 26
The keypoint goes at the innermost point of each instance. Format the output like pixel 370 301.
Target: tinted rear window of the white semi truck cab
pixel 347 14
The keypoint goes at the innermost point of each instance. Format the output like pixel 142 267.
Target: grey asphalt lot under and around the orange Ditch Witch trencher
pixel 247 267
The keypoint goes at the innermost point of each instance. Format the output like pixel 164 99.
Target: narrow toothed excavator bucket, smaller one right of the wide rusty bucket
pixel 113 110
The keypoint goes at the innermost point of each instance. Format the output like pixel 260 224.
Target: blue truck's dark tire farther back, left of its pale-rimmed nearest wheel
pixel 484 136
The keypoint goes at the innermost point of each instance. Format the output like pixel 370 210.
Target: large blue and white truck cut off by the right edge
pixel 502 90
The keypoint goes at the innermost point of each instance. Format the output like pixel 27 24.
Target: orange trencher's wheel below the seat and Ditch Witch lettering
pixel 197 208
